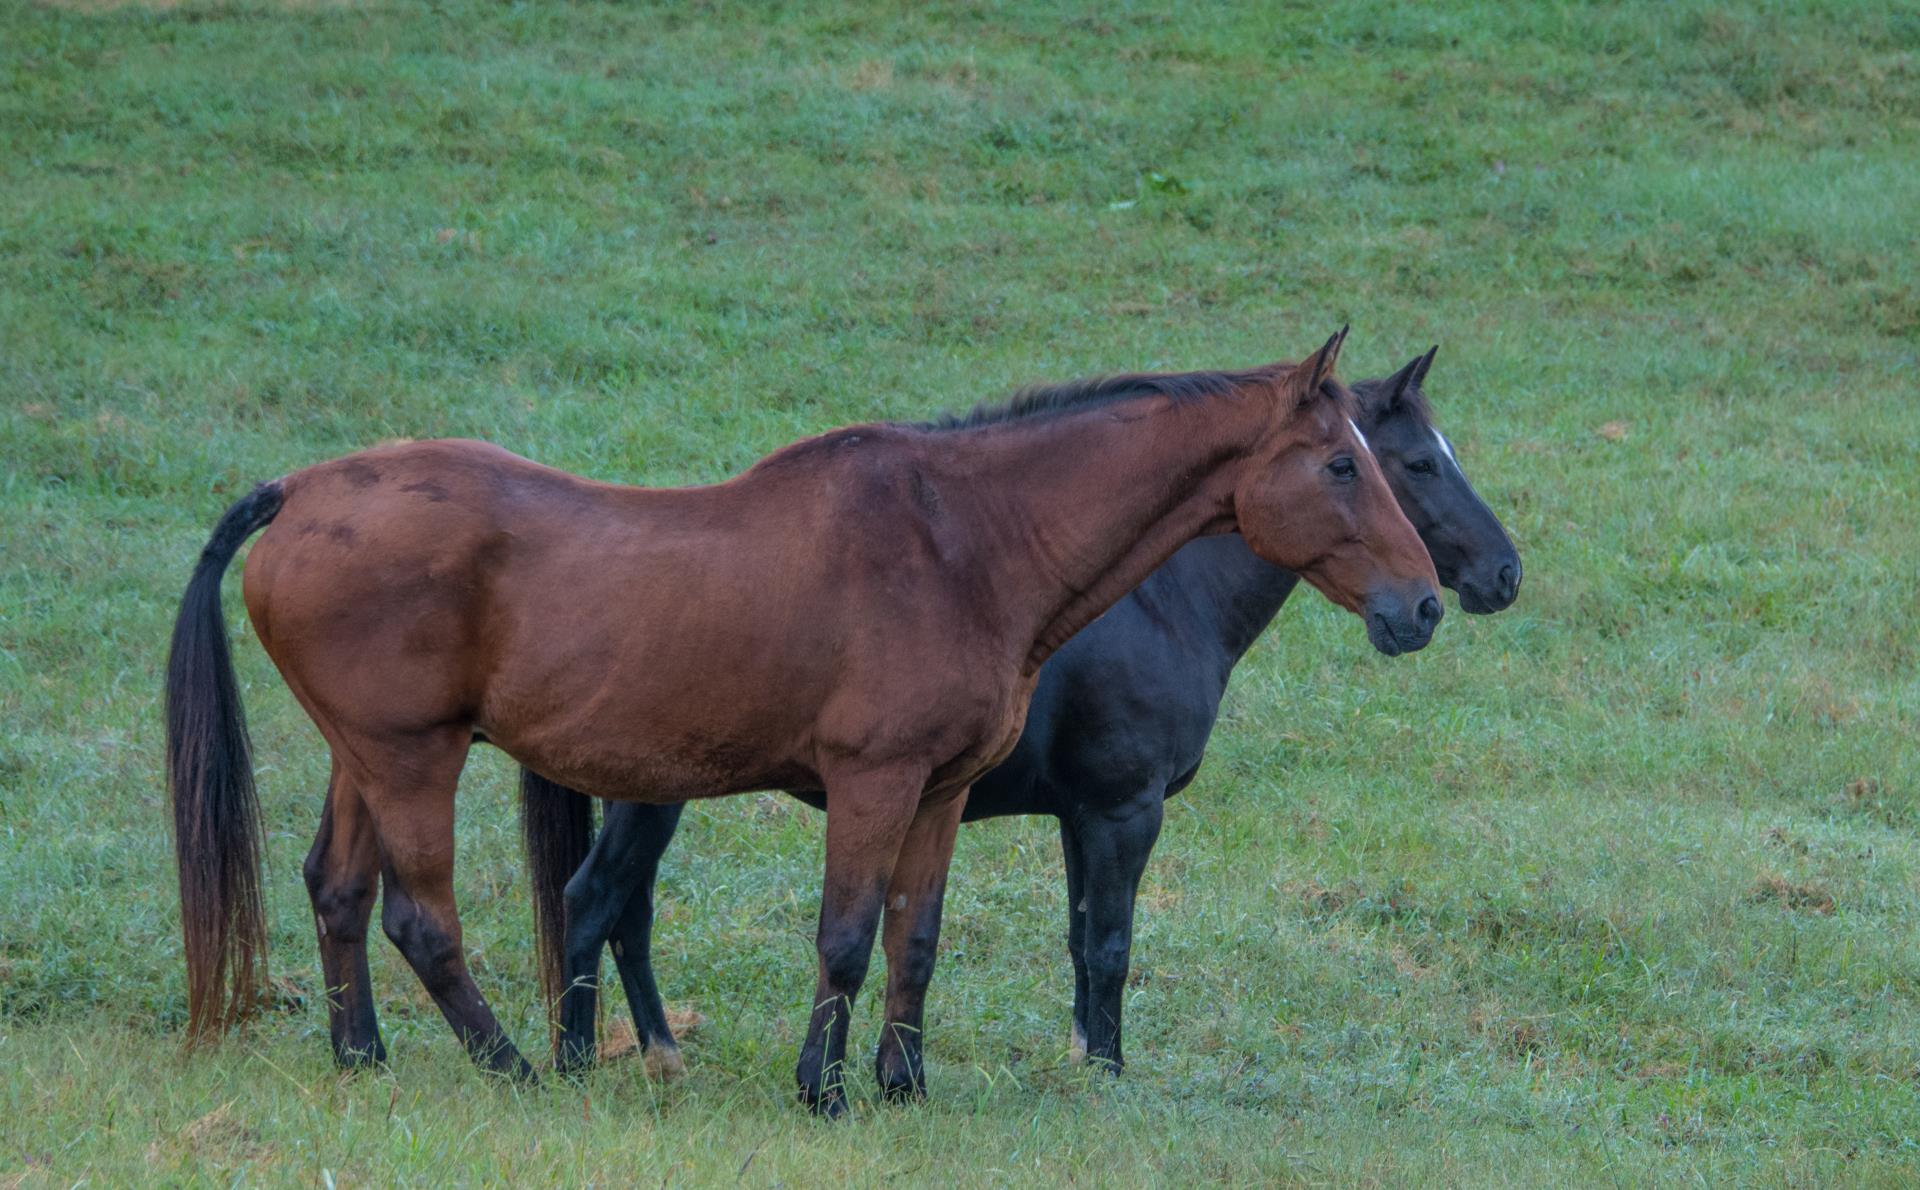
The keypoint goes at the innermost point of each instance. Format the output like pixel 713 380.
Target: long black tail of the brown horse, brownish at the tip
pixel 210 776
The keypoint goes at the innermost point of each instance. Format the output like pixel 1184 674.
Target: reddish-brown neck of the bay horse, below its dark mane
pixel 1090 504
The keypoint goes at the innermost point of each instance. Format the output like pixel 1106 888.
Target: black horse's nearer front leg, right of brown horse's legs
pixel 1115 849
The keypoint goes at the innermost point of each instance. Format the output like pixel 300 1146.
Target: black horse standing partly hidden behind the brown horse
pixel 1118 725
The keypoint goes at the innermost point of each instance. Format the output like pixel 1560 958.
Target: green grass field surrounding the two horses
pixel 1614 888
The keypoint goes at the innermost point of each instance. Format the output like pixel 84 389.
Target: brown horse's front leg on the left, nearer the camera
pixel 869 817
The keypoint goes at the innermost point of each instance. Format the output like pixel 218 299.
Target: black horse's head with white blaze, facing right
pixel 1470 548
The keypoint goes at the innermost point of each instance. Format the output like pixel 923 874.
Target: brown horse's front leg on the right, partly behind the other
pixel 911 938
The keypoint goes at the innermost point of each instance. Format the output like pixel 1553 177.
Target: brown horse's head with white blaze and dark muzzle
pixel 1316 504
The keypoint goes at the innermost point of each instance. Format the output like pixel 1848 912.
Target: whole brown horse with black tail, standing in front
pixel 861 613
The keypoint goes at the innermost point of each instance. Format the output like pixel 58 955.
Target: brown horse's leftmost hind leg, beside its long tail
pixel 343 876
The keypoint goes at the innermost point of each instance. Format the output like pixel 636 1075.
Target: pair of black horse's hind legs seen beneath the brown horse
pixel 600 899
